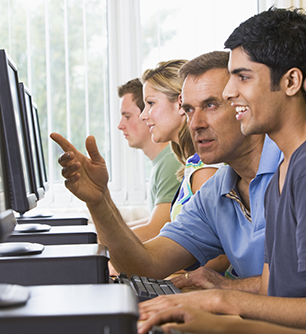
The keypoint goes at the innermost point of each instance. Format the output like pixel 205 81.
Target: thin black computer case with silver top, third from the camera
pixel 59 235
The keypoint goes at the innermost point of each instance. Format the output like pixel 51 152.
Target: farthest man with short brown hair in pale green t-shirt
pixel 163 182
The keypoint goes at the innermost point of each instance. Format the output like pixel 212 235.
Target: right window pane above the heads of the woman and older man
pixel 180 29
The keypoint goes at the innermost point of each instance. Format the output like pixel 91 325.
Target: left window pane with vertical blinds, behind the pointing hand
pixel 60 48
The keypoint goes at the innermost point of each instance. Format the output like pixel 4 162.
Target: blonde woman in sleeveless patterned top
pixel 167 122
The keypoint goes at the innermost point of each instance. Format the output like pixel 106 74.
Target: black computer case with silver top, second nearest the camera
pixel 57 264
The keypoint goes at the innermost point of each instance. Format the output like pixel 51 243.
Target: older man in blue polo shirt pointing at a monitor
pixel 217 220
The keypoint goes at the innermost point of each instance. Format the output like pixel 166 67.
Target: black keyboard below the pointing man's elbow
pixel 147 288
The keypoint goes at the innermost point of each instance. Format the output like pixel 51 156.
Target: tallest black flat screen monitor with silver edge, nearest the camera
pixel 19 161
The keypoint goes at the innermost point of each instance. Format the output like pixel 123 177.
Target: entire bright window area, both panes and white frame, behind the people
pixel 72 54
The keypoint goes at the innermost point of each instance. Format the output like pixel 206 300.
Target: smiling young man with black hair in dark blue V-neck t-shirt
pixel 266 89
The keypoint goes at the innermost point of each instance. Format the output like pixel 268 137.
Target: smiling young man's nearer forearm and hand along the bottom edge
pixel 192 320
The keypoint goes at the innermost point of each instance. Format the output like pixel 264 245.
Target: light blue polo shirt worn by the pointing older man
pixel 213 222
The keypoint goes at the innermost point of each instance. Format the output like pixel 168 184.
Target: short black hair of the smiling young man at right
pixel 275 38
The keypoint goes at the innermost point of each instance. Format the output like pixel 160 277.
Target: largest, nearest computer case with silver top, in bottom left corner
pixel 74 309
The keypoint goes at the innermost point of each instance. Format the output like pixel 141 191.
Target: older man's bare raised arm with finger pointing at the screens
pixel 87 179
